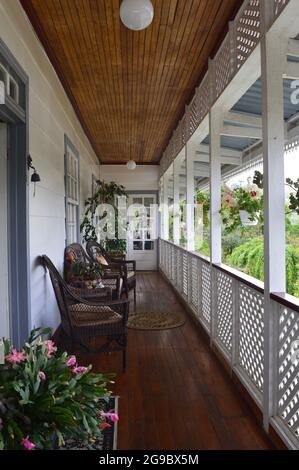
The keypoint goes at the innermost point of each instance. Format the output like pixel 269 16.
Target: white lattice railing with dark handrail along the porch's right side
pixel 230 306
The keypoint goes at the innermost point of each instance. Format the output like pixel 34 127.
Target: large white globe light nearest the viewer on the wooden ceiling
pixel 136 14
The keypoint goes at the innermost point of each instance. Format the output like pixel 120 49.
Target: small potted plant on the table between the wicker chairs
pixel 86 275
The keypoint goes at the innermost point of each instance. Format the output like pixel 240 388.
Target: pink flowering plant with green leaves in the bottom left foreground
pixel 46 397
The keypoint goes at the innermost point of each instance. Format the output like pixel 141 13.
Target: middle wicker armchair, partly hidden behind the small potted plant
pixel 113 280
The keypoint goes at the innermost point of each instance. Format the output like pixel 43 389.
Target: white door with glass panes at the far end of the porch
pixel 142 231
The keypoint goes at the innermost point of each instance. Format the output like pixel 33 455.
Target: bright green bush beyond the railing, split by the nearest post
pixel 249 258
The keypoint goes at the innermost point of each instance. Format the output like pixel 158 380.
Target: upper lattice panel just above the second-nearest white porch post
pixel 223 66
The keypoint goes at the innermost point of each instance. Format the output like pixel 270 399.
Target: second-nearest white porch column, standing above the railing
pixel 215 183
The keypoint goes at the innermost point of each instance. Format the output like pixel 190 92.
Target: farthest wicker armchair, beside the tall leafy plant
pixel 95 250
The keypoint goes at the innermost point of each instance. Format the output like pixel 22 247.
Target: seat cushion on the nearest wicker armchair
pixel 87 315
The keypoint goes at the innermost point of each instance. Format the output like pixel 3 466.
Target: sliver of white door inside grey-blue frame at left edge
pixel 4 299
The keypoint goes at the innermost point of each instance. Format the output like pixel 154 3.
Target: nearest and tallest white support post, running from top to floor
pixel 273 60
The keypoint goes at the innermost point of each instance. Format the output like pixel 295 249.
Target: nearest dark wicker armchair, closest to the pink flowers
pixel 83 321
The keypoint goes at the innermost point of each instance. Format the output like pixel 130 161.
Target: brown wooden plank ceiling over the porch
pixel 129 89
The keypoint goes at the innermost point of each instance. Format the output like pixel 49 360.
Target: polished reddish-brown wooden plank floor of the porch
pixel 175 393
